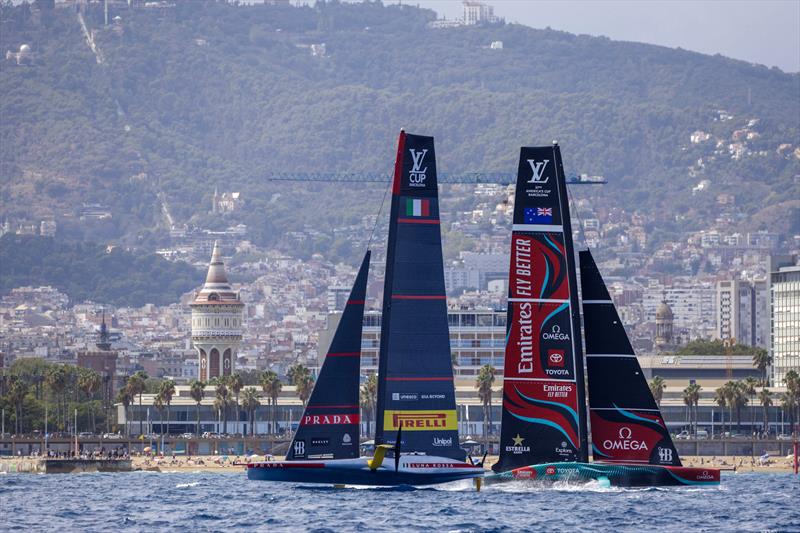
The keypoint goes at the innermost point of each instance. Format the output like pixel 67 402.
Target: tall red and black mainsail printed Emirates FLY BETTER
pixel 544 415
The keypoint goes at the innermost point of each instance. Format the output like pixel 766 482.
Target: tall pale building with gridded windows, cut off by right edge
pixel 784 291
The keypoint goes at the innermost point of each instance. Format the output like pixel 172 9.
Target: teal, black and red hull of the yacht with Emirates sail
pixel 617 474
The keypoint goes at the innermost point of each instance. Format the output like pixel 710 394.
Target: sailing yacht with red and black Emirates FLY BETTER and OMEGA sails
pixel 545 433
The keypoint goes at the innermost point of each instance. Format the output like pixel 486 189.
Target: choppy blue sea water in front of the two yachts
pixel 148 501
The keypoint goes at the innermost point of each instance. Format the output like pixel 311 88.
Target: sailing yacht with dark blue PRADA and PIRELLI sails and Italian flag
pixel 416 421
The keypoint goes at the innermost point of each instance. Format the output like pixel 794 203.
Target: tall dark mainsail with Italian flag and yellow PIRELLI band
pixel 415 373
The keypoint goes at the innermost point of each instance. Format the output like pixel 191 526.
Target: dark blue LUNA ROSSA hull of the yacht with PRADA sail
pixel 422 470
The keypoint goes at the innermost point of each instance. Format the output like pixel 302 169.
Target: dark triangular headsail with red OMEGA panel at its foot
pixel 627 425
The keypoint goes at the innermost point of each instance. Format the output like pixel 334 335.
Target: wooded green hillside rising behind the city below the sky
pixel 200 95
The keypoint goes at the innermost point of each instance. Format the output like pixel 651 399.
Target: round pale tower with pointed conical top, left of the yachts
pixel 216 322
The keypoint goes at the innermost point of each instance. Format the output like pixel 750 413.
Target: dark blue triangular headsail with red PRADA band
pixel 329 426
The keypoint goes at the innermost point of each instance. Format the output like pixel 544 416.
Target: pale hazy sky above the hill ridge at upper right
pixel 759 31
